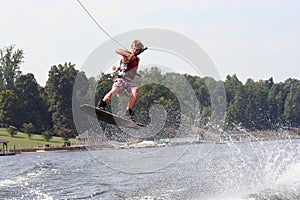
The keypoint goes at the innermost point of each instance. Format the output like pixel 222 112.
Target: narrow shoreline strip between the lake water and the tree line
pixel 257 136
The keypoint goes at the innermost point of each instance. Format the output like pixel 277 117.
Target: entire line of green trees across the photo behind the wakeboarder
pixel 254 105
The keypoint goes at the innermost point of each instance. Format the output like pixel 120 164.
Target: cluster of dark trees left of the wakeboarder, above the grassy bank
pixel 29 107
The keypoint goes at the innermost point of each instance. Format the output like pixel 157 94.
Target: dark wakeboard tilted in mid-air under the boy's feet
pixel 110 118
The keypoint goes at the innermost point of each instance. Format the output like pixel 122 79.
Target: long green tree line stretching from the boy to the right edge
pixel 255 105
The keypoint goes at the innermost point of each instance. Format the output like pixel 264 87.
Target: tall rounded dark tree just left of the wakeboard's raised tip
pixel 59 89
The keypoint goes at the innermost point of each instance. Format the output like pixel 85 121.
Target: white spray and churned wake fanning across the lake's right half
pixel 234 171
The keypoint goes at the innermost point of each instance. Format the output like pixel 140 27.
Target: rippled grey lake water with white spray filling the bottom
pixel 256 170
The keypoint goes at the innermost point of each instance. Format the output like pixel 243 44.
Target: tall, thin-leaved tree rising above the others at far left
pixel 10 61
